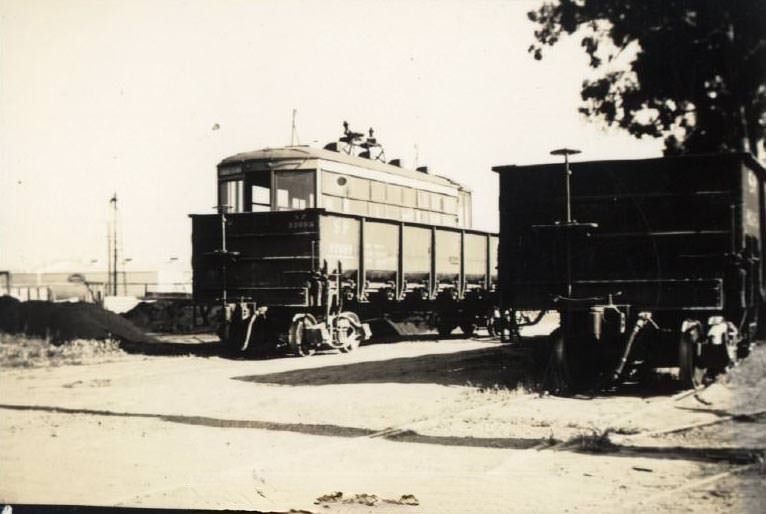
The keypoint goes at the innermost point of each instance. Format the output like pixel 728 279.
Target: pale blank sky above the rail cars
pixel 121 95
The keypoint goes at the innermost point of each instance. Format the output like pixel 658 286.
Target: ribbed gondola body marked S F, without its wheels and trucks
pixel 272 257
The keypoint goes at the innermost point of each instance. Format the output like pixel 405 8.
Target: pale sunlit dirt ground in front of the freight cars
pixel 428 426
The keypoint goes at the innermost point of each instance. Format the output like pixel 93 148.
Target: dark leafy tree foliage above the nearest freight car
pixel 699 73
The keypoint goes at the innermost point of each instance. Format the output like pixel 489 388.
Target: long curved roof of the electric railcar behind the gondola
pixel 307 152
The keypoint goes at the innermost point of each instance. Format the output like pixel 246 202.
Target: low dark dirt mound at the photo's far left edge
pixel 62 322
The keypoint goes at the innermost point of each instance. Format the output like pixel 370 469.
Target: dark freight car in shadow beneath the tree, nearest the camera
pixel 650 263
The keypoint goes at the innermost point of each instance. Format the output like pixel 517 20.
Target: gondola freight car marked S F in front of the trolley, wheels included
pixel 291 271
